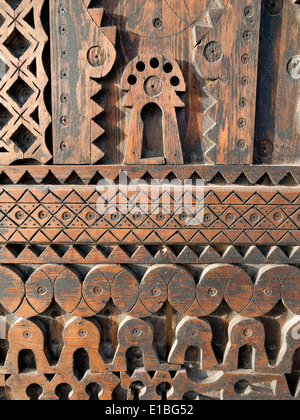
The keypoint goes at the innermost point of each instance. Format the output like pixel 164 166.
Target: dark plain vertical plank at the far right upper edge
pixel 277 119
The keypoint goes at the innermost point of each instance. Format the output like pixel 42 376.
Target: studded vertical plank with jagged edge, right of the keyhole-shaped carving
pixel 227 59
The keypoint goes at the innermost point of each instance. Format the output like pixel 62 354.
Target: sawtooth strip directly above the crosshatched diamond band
pixel 217 174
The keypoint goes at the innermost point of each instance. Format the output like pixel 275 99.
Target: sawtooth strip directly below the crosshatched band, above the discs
pixel 149 254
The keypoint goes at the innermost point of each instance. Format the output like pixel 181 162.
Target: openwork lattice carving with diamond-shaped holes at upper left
pixel 24 117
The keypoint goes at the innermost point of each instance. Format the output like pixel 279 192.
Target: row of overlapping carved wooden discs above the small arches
pixel 142 296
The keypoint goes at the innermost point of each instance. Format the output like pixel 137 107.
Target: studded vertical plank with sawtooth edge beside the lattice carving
pixel 80 51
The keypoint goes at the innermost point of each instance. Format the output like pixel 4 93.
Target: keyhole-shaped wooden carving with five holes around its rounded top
pixel 152 83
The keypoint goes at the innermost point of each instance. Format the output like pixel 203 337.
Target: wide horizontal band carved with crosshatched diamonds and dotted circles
pixel 223 215
